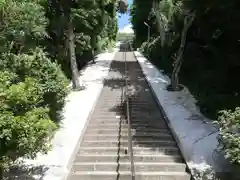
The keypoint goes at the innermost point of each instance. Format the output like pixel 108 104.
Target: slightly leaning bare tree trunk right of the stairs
pixel 188 20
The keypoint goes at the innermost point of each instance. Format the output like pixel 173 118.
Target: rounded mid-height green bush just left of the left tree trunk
pixel 48 81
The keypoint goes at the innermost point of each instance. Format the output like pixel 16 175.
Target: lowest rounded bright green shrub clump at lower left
pixel 25 135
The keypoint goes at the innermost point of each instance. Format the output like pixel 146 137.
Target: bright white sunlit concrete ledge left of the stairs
pixel 57 163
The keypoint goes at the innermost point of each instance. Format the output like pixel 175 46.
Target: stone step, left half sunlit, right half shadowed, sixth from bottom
pixel 116 137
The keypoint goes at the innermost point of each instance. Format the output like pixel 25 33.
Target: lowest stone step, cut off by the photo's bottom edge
pixel 125 175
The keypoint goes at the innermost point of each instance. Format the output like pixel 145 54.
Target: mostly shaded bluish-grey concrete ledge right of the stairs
pixel 194 133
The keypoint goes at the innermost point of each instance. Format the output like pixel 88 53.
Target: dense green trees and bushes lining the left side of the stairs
pixel 42 44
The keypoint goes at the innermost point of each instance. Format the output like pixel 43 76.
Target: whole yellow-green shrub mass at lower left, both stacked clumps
pixel 24 125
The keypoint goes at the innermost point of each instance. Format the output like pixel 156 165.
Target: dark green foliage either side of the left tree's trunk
pixel 93 21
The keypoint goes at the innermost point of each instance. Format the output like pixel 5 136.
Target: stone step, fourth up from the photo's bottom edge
pixel 136 150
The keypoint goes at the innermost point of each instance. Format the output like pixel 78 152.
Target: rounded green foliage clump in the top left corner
pixel 23 24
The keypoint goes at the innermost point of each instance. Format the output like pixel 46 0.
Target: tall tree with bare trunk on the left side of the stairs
pixel 84 21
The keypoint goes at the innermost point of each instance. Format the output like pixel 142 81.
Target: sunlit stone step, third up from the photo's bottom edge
pixel 125 158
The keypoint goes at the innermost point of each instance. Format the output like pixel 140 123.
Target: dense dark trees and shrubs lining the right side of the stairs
pixel 197 41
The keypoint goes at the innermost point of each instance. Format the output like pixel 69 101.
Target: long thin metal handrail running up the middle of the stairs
pixel 130 149
